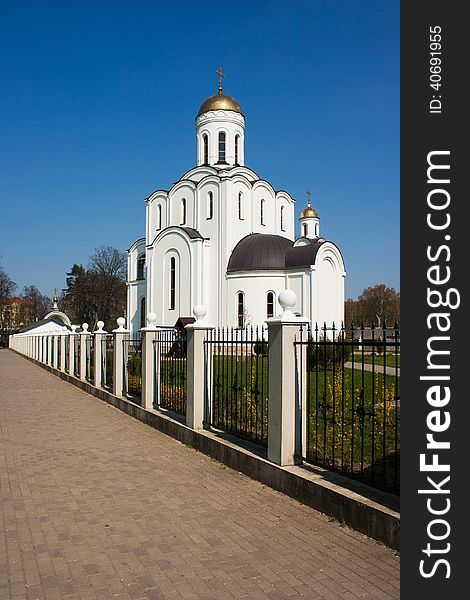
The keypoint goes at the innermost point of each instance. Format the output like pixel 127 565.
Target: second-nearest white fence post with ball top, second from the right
pixel 195 392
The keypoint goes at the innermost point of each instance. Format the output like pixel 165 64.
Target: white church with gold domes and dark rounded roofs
pixel 225 238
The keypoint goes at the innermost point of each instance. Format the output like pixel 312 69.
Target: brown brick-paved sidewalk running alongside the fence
pixel 96 505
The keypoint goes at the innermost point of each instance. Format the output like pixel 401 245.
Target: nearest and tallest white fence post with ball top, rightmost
pixel 284 415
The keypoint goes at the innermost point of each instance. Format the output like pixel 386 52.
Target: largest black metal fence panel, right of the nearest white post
pixel 351 389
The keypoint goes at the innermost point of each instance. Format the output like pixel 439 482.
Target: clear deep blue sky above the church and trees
pixel 97 108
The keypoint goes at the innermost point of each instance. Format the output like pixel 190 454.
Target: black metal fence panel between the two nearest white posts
pixel 236 375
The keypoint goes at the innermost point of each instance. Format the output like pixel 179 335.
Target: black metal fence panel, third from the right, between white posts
pixel 170 368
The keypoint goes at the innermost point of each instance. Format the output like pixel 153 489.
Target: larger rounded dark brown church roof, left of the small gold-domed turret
pixel 259 251
